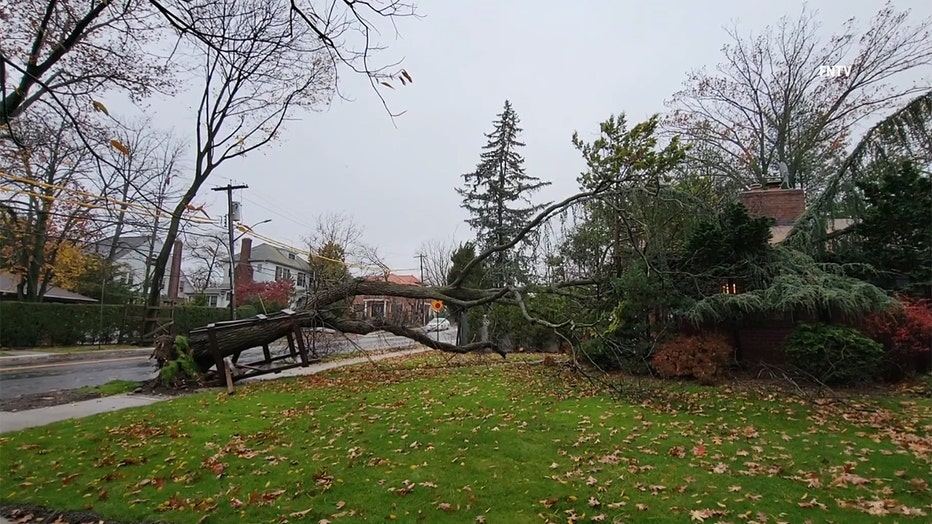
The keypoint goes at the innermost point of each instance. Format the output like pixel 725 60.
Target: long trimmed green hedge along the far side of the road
pixel 27 324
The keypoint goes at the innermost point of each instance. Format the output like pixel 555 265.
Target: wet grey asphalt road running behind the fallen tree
pixel 38 376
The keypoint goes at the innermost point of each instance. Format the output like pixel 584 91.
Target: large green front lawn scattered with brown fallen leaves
pixel 476 439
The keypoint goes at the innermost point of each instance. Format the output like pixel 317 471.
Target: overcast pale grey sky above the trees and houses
pixel 565 66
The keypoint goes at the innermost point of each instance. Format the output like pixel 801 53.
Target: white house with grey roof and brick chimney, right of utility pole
pixel 263 263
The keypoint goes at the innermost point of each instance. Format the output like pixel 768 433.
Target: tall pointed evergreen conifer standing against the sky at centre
pixel 497 196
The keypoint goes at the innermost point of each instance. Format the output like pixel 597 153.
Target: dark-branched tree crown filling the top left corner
pixel 67 52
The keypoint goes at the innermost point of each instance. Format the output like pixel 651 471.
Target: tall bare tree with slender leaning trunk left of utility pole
pixel 259 67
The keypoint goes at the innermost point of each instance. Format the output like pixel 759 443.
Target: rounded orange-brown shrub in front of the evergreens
pixel 703 357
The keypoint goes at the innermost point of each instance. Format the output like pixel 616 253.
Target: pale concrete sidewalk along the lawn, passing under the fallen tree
pixel 17 420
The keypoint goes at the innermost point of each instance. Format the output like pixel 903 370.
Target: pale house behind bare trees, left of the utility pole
pixel 132 254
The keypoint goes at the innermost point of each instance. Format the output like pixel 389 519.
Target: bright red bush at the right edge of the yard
pixel 906 335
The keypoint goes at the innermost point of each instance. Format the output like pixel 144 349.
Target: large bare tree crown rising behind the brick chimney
pixel 771 103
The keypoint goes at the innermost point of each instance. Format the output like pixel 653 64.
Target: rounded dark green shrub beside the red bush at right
pixel 834 355
